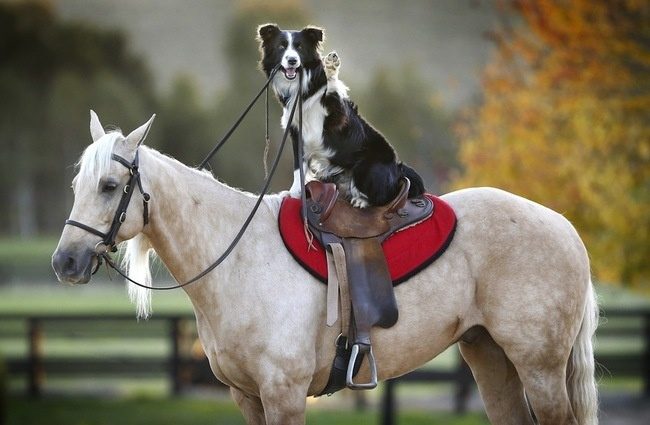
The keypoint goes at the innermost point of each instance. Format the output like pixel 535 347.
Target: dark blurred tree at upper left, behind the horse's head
pixel 51 74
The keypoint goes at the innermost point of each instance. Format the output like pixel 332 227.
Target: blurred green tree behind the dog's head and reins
pixel 240 162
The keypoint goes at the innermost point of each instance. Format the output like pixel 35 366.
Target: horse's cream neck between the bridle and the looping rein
pixel 193 216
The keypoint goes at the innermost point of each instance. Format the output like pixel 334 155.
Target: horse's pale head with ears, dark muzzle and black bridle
pixel 106 175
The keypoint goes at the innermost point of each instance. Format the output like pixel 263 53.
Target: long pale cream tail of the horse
pixel 581 382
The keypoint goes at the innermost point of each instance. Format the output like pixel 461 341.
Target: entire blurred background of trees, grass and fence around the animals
pixel 547 99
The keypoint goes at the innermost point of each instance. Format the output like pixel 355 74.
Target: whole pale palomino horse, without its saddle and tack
pixel 513 290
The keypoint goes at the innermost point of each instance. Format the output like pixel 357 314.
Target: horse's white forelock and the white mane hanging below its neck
pixel 93 164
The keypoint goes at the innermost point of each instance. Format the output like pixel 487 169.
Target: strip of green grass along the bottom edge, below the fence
pixel 87 411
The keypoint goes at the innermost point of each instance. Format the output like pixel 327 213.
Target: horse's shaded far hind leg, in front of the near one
pixel 498 382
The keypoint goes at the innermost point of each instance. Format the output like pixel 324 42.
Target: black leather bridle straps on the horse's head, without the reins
pixel 108 238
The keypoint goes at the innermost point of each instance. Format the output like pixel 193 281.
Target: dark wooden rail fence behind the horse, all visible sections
pixel 185 369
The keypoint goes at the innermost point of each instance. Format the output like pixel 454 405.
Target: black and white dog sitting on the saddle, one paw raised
pixel 339 145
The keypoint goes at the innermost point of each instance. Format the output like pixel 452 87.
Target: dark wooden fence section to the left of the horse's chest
pixel 182 367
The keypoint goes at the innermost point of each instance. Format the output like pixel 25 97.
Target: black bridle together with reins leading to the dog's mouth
pixel 108 245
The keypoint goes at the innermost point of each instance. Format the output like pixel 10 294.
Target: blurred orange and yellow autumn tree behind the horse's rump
pixel 565 121
